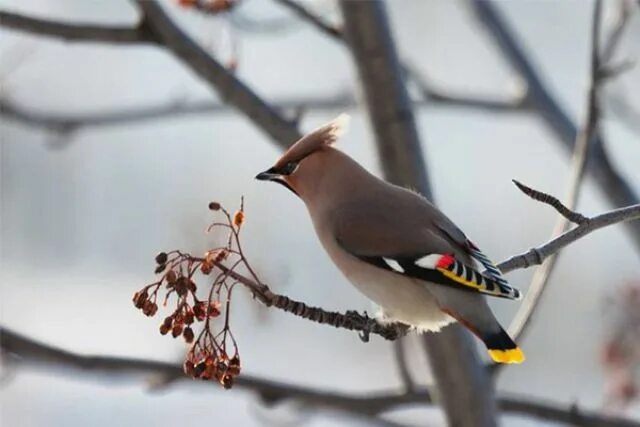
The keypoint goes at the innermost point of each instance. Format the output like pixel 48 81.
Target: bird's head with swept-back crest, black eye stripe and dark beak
pixel 300 168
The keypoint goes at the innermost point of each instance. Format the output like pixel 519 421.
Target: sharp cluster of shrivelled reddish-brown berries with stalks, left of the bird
pixel 213 354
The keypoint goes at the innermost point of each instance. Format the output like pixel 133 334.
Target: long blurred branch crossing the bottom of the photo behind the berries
pixel 34 353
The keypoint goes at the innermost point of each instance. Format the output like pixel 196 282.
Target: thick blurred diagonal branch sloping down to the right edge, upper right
pixel 612 183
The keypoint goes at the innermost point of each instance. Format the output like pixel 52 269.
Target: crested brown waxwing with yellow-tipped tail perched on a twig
pixel 393 245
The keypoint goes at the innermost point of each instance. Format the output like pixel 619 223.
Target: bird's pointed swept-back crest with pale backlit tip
pixel 324 136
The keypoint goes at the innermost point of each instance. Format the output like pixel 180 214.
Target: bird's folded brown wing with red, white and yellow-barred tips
pixel 405 242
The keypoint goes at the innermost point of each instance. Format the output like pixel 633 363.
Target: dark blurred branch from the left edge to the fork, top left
pixel 75 32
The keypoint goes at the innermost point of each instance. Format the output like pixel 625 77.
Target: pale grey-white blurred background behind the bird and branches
pixel 86 204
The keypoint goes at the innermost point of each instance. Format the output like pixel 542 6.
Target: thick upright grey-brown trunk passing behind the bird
pixel 465 390
